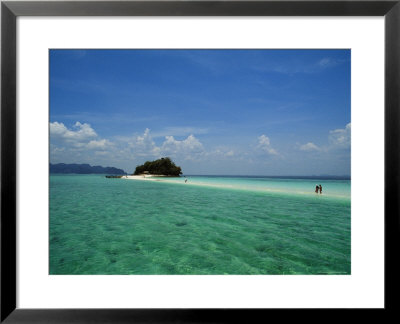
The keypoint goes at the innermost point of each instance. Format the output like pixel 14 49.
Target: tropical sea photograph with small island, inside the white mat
pixel 199 161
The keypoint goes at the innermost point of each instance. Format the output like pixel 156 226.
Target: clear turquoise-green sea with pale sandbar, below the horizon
pixel 210 225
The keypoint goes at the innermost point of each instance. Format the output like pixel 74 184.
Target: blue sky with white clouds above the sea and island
pixel 233 112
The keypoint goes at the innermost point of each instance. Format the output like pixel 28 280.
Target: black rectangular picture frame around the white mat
pixel 10 10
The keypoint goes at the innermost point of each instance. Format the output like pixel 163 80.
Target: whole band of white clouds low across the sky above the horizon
pixel 80 143
